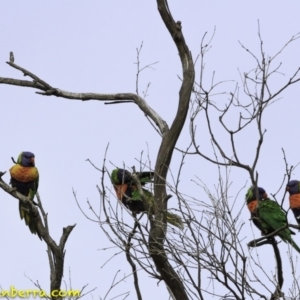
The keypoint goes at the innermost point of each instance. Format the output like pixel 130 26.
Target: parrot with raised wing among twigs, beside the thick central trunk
pixel 127 192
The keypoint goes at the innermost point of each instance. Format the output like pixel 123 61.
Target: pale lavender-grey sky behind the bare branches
pixel 90 46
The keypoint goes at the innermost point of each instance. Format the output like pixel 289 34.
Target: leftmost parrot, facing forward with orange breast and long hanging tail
pixel 25 178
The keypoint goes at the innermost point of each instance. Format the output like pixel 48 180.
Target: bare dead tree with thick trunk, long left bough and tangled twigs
pixel 210 245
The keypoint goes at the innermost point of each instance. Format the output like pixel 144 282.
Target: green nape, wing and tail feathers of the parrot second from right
pixel 272 217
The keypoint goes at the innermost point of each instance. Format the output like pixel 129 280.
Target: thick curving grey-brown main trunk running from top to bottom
pixel 164 156
